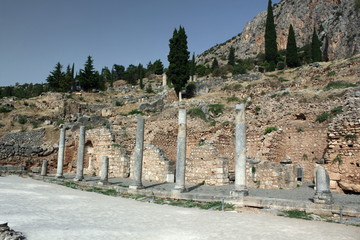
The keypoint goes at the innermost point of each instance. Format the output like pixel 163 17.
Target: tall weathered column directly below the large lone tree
pixel 181 153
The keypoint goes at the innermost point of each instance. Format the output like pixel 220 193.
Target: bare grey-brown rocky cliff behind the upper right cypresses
pixel 336 21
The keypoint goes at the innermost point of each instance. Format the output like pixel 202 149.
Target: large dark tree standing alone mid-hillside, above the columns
pixel 178 71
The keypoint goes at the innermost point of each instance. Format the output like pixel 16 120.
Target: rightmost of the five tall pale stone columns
pixel 240 149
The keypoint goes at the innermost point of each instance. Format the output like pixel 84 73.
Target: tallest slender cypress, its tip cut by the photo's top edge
pixel 270 38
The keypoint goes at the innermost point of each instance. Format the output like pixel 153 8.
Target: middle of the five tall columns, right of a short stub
pixel 138 154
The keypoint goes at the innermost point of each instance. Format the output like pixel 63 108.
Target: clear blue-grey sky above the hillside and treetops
pixel 36 34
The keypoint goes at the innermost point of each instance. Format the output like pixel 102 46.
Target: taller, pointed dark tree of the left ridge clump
pixel 89 78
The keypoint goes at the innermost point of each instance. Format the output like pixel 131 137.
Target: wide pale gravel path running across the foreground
pixel 47 211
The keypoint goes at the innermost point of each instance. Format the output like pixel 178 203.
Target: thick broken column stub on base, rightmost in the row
pixel 322 194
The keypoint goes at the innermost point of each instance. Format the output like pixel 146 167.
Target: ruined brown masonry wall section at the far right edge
pixel 343 151
